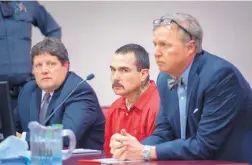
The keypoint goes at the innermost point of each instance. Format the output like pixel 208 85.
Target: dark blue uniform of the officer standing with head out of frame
pixel 16 20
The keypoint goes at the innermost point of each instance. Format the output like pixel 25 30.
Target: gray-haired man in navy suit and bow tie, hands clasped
pixel 206 104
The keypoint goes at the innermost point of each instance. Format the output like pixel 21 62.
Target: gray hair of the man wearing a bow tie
pixel 191 25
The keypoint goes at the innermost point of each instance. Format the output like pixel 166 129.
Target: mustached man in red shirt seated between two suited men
pixel 136 109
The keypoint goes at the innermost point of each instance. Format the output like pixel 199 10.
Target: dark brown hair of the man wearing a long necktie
pixel 52 46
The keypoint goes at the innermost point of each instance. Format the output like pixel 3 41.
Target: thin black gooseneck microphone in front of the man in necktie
pixel 89 77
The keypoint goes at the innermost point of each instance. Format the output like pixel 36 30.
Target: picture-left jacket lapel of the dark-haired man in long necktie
pixel 35 104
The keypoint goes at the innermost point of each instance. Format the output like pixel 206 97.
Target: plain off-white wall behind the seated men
pixel 92 31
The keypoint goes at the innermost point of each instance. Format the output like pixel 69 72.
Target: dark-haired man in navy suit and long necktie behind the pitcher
pixel 53 82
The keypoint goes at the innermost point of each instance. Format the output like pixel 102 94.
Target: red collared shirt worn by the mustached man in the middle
pixel 139 121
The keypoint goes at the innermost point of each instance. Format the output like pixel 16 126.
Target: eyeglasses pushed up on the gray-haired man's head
pixel 168 21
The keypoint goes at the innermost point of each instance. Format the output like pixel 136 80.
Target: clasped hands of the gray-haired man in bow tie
pixel 124 146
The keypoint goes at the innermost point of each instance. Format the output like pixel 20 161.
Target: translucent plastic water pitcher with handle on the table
pixel 46 144
